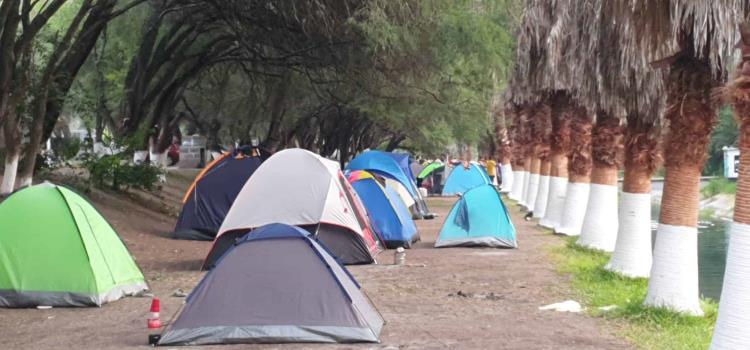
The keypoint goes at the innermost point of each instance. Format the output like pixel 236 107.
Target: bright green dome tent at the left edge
pixel 57 250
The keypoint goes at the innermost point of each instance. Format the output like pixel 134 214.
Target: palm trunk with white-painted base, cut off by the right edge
pixel 733 322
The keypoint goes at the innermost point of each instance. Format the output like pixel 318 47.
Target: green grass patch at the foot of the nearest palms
pixel 647 328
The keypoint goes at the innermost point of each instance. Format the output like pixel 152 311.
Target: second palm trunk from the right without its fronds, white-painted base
pixel 674 274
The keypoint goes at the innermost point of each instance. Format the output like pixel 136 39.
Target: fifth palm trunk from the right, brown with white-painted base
pixel 579 178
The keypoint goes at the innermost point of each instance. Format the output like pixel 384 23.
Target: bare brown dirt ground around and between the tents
pixel 496 309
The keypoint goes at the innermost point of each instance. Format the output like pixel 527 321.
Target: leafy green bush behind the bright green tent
pixel 116 172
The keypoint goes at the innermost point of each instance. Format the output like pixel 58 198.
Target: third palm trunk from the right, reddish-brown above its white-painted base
pixel 632 255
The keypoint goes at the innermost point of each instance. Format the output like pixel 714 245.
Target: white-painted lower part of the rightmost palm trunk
pixel 732 329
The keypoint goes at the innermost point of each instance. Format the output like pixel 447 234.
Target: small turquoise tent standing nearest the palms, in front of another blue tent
pixel 479 218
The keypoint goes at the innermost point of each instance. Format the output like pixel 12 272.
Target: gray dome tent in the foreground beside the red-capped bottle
pixel 276 285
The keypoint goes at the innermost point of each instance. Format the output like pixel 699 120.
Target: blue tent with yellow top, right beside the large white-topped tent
pixel 387 211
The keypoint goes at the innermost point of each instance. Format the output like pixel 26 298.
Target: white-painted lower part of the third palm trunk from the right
pixel 632 255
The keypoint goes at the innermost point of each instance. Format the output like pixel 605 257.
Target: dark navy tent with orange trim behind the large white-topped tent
pixel 209 198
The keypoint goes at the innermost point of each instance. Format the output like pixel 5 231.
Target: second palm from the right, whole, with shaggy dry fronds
pixel 693 40
